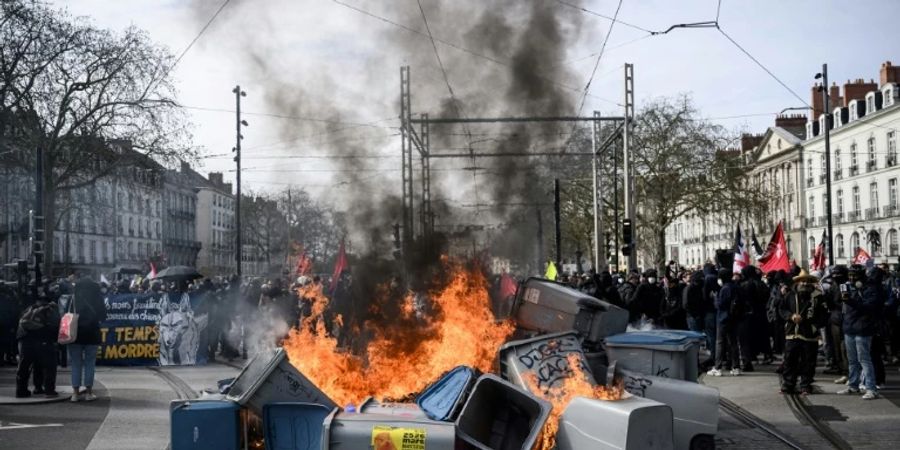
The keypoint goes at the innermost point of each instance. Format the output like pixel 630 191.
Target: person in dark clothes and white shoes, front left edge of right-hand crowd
pixel 729 308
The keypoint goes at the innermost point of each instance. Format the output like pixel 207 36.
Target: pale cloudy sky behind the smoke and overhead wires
pixel 349 58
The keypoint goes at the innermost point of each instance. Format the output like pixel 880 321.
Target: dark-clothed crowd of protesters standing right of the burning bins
pixel 847 317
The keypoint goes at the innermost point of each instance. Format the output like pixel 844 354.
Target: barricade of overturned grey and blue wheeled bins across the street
pixel 663 407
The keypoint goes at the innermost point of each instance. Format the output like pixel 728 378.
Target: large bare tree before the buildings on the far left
pixel 90 101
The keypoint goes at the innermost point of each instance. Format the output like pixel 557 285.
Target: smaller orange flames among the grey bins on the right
pixel 577 384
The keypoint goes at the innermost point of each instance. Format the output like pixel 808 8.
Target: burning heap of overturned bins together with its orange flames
pixel 433 349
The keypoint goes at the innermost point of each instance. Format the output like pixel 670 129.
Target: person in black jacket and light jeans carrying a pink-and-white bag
pixel 87 302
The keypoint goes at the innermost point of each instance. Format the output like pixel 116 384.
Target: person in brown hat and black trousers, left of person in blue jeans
pixel 804 312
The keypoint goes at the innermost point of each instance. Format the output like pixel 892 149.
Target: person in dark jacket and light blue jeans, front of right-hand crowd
pixel 861 306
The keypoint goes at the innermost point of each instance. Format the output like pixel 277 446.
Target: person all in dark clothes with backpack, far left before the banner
pixel 36 333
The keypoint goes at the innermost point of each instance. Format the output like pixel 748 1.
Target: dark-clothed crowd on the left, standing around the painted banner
pixel 30 322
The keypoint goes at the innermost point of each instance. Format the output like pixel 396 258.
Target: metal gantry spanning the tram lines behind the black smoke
pixel 411 139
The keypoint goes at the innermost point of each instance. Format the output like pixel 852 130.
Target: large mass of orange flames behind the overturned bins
pixel 406 352
